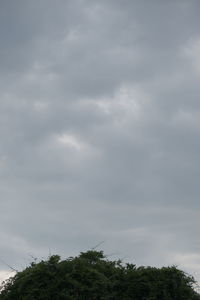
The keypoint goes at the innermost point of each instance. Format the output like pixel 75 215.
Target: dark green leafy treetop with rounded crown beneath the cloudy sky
pixel 92 276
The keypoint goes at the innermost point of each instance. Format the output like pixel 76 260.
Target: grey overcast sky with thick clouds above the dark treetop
pixel 100 130
